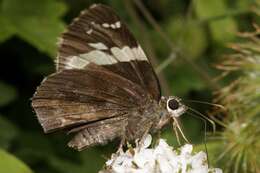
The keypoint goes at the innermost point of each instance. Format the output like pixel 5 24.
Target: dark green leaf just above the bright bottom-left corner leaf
pixel 7 133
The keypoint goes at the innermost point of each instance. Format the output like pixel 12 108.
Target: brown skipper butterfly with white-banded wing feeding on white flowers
pixel 104 86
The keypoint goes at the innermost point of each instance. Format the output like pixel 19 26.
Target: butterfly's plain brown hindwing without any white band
pixel 74 97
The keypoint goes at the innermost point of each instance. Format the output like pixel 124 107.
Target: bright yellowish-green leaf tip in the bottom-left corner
pixel 10 164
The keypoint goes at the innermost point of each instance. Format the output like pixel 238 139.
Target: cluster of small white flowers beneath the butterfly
pixel 161 159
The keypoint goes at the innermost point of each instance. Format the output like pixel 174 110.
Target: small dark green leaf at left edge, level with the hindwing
pixel 8 94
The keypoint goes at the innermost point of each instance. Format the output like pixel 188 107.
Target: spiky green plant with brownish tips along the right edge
pixel 240 144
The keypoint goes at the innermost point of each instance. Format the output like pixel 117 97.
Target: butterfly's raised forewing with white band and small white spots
pixel 99 36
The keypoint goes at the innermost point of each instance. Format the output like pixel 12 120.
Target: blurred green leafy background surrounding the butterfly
pixel 199 30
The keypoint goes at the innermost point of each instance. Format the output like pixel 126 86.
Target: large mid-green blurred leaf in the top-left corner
pixel 37 22
